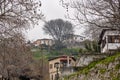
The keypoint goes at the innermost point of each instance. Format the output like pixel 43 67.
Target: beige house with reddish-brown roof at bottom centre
pixel 65 66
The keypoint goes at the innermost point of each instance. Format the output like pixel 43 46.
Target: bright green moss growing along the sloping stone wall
pixel 105 61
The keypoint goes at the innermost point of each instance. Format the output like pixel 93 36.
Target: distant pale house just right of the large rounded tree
pixel 72 40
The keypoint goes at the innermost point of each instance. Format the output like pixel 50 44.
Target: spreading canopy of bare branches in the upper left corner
pixel 16 15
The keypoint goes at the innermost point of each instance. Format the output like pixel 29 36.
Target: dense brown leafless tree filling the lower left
pixel 15 56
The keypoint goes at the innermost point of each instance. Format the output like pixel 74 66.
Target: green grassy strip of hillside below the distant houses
pixel 38 53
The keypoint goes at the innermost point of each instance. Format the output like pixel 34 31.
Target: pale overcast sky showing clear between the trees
pixel 52 10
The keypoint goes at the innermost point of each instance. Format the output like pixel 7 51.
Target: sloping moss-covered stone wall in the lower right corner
pixel 106 69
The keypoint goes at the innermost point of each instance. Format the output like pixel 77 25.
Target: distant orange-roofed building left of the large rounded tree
pixel 48 42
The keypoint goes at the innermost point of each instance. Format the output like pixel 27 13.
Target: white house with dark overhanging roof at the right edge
pixel 109 40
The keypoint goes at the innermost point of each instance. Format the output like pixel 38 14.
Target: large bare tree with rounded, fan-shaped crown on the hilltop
pixel 58 29
